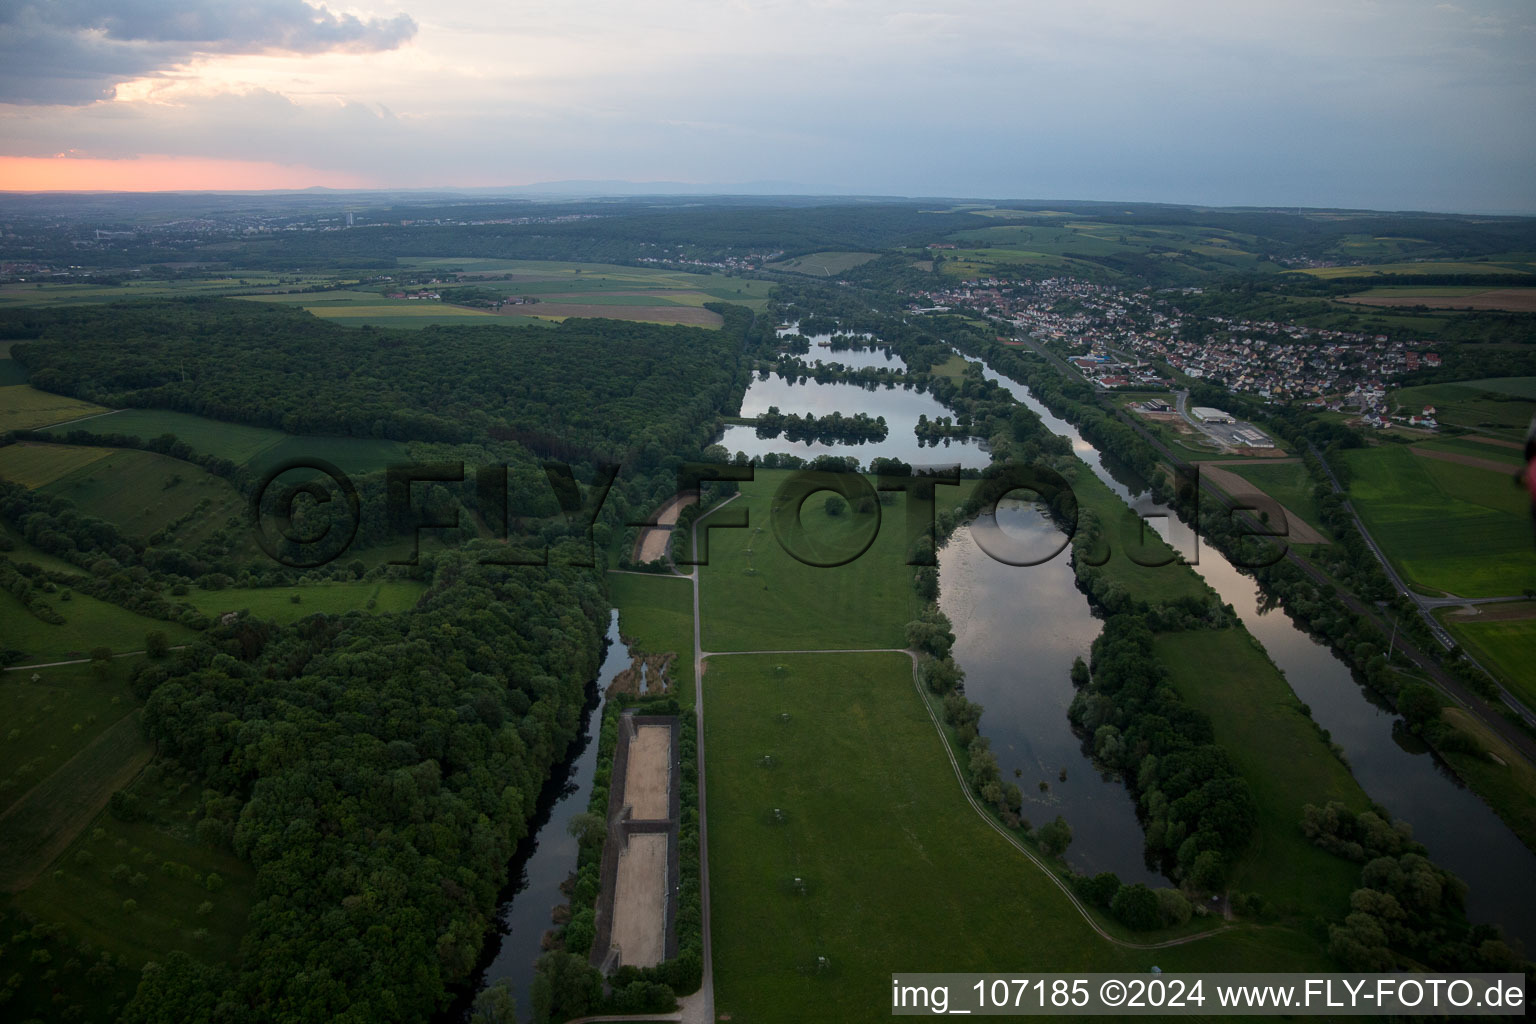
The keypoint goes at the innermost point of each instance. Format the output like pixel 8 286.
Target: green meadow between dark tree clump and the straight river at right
pixel 1283 758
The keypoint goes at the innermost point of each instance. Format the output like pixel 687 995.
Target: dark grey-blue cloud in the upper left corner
pixel 76 51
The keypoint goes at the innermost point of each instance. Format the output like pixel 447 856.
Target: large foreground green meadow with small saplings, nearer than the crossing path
pixel 896 867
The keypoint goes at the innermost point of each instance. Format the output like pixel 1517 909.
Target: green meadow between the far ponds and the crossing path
pixel 760 598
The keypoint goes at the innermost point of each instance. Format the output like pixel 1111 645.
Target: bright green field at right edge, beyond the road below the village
pixel 1448 527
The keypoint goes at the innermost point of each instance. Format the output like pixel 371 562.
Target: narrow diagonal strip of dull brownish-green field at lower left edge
pixel 39 827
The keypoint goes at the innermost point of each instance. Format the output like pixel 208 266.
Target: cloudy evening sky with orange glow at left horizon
pixel 1348 104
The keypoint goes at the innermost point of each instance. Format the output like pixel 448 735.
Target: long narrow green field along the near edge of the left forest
pixel 250 446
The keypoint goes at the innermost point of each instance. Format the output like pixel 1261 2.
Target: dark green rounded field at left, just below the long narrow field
pixel 145 495
